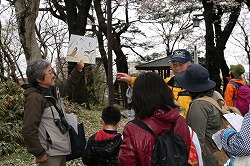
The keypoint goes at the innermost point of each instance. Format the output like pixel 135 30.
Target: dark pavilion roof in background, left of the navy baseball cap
pixel 162 66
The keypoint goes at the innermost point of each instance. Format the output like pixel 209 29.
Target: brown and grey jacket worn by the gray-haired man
pixel 40 132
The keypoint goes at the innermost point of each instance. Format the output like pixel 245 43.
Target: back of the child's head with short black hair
pixel 111 115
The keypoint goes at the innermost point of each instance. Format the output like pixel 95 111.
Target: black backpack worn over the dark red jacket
pixel 169 150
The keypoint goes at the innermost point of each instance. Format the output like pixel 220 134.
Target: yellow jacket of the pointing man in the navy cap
pixel 182 99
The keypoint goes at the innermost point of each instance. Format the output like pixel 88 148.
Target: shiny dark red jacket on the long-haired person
pixel 137 146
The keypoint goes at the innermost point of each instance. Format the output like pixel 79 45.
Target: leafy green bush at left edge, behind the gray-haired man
pixel 11 114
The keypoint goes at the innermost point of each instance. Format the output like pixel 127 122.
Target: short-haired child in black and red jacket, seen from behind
pixel 103 146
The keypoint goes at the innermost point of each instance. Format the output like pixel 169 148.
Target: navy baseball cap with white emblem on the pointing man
pixel 182 56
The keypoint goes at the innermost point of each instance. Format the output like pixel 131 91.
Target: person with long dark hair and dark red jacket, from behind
pixel 154 105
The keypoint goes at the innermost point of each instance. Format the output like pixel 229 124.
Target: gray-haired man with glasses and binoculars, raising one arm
pixel 45 129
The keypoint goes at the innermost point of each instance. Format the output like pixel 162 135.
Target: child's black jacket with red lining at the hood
pixel 102 149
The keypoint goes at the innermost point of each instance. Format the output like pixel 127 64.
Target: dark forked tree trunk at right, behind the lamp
pixel 215 59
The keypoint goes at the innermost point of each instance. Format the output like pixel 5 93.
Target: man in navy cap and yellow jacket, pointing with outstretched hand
pixel 180 60
